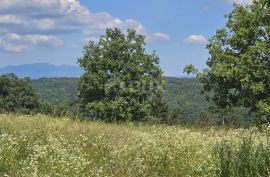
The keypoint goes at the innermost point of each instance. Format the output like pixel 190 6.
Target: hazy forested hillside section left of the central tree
pixel 56 90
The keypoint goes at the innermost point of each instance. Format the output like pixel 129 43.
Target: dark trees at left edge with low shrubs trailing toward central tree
pixel 18 96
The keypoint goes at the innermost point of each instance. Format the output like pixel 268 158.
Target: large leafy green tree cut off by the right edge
pixel 238 71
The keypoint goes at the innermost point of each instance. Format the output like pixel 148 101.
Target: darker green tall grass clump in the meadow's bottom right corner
pixel 248 159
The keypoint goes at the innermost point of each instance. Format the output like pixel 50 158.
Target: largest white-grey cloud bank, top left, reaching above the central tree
pixel 58 16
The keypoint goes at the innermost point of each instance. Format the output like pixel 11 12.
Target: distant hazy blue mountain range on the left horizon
pixel 40 70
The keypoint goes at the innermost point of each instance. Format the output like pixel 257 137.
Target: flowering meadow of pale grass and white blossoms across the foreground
pixel 44 146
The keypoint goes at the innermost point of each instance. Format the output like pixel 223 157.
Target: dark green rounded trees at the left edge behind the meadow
pixel 16 95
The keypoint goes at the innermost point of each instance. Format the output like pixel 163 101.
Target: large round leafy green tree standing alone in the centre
pixel 121 81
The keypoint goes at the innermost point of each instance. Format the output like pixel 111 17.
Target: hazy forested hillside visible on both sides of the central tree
pixel 179 92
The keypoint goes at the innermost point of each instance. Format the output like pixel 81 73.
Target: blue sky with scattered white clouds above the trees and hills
pixel 54 31
